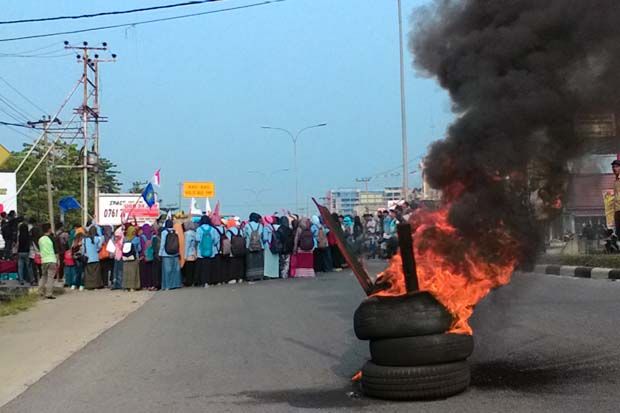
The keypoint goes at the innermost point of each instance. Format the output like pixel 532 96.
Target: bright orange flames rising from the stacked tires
pixel 458 283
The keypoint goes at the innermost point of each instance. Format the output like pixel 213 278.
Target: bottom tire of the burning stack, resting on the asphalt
pixel 415 383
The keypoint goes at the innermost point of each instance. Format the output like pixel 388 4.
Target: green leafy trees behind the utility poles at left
pixel 32 201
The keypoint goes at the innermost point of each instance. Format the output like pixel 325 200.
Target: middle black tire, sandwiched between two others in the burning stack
pixel 421 350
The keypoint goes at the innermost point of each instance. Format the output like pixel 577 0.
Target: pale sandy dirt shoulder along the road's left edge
pixel 32 343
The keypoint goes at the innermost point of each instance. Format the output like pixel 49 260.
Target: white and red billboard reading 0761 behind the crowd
pixel 114 208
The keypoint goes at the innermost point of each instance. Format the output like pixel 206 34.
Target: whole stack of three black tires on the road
pixel 413 358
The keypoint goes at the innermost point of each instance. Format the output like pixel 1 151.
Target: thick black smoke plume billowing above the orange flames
pixel 518 73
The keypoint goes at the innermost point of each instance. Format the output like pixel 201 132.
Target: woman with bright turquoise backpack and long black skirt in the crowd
pixel 207 247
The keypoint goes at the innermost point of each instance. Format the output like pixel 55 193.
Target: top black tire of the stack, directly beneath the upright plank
pixel 402 316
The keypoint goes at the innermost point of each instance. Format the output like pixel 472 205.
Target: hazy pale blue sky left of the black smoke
pixel 189 96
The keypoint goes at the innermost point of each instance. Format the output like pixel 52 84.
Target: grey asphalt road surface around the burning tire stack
pixel 543 343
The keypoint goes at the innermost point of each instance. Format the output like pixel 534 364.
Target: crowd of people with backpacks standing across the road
pixel 205 251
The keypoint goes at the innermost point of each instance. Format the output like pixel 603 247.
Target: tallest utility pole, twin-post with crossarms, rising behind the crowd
pixel 90 109
